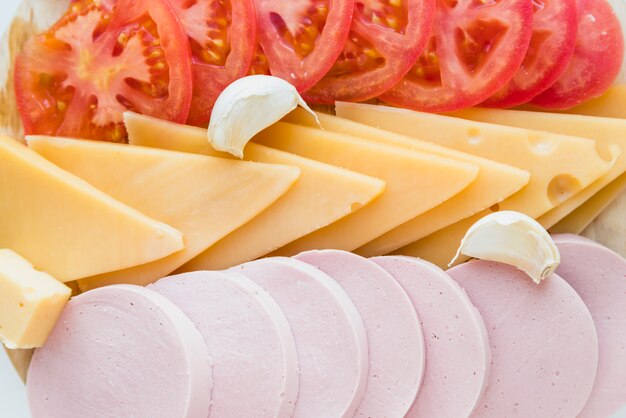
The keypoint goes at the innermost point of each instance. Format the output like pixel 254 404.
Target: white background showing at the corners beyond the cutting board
pixel 12 393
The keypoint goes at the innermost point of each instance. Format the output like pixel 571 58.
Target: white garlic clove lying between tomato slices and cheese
pixel 246 107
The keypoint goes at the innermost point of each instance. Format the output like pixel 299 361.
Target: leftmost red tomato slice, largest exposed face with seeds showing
pixel 99 60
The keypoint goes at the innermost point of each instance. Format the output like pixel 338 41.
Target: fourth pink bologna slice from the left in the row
pixel 394 333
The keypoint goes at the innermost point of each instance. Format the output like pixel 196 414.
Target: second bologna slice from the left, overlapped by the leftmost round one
pixel 255 370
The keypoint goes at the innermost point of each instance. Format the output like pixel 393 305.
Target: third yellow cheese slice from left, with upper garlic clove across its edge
pixel 322 195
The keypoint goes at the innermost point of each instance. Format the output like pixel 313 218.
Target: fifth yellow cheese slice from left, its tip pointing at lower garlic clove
pixel 494 183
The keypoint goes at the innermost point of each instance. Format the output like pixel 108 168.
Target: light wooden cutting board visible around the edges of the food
pixel 33 16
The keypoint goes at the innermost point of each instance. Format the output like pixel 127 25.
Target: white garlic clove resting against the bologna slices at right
pixel 512 238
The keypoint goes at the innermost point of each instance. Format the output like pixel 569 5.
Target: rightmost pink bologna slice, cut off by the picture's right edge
pixel 599 276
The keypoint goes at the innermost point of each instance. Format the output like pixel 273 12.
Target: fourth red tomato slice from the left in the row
pixel 385 40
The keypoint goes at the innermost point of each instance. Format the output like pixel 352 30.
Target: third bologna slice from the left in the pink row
pixel 329 333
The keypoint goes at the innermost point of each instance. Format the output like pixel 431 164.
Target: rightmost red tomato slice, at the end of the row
pixel 596 62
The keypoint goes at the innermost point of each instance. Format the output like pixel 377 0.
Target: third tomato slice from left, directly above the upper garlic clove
pixel 300 40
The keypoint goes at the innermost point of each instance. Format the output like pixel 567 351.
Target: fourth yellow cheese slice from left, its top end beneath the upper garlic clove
pixel 416 182
